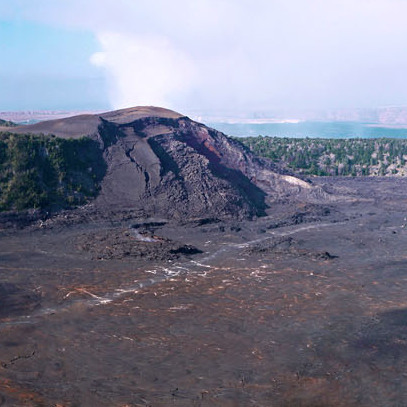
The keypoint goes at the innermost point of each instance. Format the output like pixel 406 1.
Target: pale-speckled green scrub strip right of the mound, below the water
pixel 346 157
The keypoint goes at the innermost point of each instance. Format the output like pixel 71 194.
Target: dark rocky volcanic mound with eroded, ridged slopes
pixel 161 163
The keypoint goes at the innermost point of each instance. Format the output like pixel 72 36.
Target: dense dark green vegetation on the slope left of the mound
pixel 48 172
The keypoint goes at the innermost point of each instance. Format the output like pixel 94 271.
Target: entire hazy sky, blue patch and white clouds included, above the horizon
pixel 202 54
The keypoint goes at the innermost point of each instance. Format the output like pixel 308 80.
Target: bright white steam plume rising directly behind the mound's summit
pixel 143 70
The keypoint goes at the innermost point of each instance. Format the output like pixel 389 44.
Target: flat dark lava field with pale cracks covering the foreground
pixel 304 307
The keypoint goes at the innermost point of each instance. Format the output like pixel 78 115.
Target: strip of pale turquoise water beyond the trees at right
pixel 309 129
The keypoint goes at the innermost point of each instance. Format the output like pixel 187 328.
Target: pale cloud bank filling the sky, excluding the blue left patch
pixel 239 53
